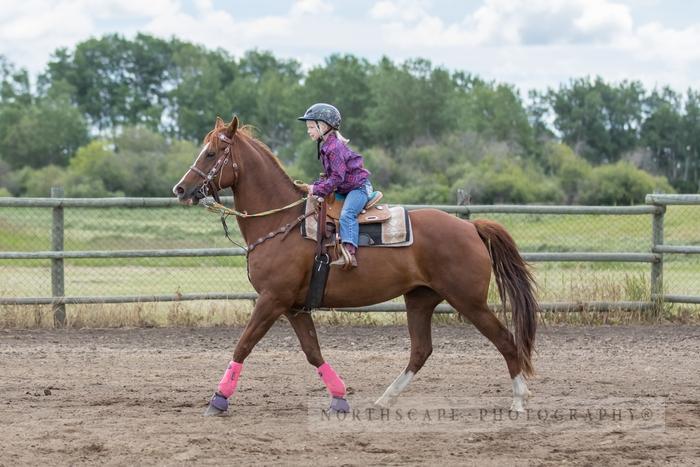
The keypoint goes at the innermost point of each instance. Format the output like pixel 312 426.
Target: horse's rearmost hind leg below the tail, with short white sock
pixel 494 330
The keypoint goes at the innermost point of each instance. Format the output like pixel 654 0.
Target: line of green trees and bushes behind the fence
pixel 112 107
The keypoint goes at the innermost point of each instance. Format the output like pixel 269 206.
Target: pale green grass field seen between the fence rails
pixel 28 229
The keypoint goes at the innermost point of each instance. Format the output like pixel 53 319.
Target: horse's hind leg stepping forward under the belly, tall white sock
pixel 420 304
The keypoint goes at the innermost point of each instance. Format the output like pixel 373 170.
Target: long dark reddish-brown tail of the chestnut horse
pixel 516 284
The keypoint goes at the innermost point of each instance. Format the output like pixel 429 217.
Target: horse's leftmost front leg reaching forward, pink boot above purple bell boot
pixel 267 310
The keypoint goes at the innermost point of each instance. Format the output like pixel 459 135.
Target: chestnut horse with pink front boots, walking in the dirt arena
pixel 450 259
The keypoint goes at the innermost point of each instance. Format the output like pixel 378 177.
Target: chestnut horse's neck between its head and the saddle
pixel 262 186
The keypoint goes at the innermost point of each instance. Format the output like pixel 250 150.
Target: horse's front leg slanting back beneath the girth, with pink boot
pixel 303 326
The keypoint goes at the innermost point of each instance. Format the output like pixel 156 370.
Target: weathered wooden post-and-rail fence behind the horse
pixel 655 206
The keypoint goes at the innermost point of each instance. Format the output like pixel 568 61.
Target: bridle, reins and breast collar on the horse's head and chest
pixel 209 188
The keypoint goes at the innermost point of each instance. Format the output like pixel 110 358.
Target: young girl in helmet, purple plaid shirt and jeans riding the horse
pixel 344 173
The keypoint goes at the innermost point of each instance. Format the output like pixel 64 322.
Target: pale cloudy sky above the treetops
pixel 532 44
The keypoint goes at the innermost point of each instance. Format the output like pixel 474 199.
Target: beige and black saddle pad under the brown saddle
pixel 394 232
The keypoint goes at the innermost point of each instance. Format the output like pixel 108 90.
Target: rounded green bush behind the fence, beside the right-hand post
pixel 621 183
